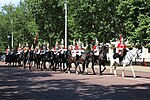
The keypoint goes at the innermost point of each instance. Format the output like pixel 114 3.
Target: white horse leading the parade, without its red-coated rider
pixel 127 61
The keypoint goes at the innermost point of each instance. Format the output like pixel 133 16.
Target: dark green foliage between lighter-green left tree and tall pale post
pixel 49 16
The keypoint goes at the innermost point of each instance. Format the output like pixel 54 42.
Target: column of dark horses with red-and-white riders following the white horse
pixel 59 58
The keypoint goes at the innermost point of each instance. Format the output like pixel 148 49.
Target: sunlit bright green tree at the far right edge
pixel 136 15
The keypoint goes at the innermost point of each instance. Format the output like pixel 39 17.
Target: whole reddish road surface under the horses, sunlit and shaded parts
pixel 17 83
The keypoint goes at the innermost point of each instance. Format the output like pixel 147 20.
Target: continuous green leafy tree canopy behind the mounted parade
pixel 87 20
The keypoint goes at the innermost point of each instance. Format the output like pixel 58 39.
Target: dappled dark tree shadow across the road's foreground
pixel 20 84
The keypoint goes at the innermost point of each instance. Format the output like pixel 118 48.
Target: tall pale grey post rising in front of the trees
pixel 66 42
